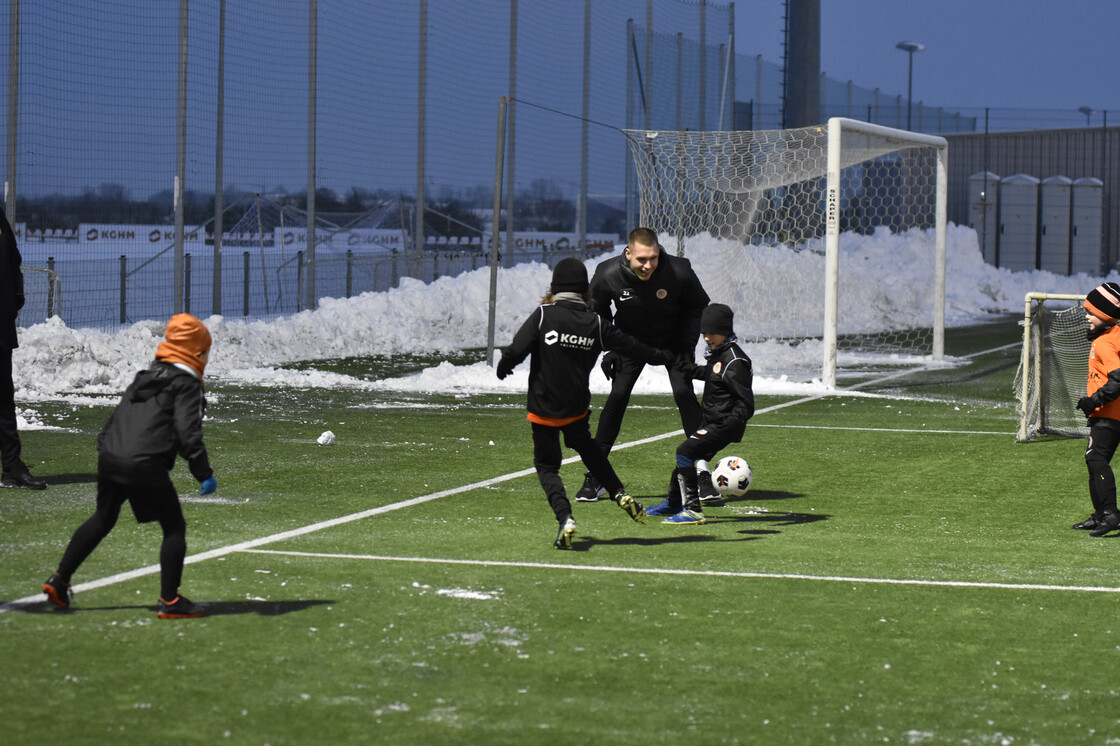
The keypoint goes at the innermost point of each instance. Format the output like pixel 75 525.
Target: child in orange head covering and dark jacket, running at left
pixel 160 417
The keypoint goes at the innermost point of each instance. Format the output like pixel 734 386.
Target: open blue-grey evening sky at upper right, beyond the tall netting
pixel 1013 54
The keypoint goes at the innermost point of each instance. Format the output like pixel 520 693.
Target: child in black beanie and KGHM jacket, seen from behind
pixel 564 339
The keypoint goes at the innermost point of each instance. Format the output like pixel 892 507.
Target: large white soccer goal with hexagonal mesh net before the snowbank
pixel 797 204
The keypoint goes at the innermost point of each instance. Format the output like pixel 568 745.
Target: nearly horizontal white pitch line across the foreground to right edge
pixel 714 574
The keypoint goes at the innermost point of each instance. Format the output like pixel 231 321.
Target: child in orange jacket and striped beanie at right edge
pixel 1103 407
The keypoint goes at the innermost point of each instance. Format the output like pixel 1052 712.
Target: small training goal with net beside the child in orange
pixel 1054 367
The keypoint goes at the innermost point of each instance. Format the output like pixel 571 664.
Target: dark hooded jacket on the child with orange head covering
pixel 161 417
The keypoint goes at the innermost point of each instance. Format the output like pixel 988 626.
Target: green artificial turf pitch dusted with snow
pixel 902 572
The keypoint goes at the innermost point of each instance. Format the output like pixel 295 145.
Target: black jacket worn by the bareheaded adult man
pixel 664 312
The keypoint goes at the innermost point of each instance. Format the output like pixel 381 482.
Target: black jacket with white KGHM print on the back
pixel 565 339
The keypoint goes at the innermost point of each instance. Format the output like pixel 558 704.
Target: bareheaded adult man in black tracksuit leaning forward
pixel 658 300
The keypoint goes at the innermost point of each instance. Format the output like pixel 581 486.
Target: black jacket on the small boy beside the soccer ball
pixel 729 393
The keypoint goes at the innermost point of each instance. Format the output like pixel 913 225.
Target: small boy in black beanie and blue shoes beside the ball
pixel 729 404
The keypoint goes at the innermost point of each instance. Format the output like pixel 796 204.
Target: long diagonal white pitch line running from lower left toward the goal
pixel 222 552
